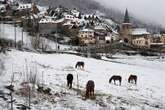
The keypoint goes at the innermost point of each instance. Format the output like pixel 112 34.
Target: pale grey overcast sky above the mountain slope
pixel 151 10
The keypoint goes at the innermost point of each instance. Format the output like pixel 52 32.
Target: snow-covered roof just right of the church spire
pixel 140 31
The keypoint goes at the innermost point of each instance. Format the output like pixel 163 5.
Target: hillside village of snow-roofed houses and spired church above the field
pixel 80 29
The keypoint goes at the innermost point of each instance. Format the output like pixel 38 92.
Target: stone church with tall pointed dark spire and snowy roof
pixel 135 36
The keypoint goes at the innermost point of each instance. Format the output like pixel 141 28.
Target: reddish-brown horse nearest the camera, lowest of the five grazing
pixel 90 89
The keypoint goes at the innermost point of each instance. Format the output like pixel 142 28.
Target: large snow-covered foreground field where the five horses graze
pixel 148 94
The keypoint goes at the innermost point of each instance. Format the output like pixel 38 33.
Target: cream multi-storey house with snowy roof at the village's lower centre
pixel 86 36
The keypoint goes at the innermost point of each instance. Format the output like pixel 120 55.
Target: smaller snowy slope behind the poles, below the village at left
pixel 7 31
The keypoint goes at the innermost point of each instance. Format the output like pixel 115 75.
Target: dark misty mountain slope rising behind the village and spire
pixel 91 6
